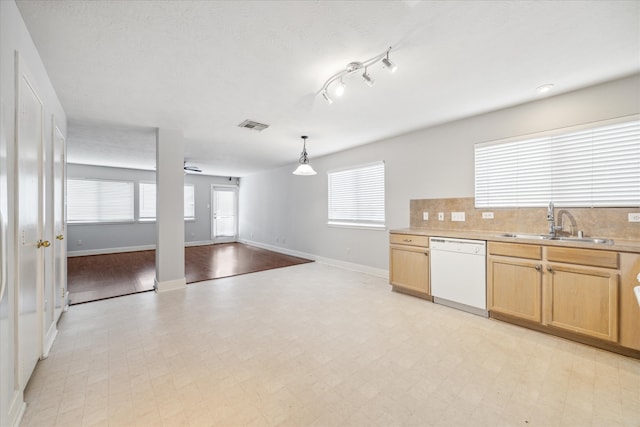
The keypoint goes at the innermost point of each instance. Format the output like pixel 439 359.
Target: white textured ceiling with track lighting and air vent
pixel 122 68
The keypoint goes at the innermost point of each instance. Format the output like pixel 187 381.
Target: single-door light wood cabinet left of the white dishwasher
pixel 409 263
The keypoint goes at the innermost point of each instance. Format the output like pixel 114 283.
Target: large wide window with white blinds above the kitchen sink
pixel 589 166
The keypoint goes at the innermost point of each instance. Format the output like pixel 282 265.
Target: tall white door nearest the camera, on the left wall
pixel 30 224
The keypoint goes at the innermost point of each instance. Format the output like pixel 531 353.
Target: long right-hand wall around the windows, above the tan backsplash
pixel 289 212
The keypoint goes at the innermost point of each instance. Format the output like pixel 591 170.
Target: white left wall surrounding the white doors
pixel 15 37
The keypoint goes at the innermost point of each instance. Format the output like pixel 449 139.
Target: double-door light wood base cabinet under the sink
pixel 570 289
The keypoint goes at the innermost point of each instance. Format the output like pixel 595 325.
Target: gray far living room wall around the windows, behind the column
pixel 103 238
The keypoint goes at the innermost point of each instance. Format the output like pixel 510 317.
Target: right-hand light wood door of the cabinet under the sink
pixel 583 300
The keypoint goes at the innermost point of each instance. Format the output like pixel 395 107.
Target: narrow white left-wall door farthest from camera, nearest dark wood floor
pixel 59 244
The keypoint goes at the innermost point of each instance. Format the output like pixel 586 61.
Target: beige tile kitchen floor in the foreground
pixel 314 345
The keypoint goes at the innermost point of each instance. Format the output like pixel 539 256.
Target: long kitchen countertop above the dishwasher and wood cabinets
pixel 619 245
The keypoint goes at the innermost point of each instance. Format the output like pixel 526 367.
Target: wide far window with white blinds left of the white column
pixel 99 201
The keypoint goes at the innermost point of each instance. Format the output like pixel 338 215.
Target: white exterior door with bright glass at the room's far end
pixel 224 209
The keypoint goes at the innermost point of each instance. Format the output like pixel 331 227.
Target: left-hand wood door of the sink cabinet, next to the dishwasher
pixel 514 287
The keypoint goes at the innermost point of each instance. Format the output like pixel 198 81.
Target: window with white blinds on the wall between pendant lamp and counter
pixel 356 196
